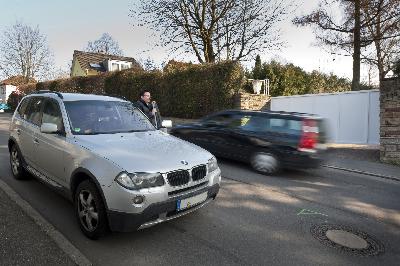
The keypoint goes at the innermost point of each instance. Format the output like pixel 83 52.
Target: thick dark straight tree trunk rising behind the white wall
pixel 357 47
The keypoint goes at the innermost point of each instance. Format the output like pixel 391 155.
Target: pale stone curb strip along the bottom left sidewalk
pixel 63 243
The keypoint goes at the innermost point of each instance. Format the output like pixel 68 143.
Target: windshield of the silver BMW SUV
pixel 105 117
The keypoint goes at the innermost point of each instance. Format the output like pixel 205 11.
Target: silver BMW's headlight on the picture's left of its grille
pixel 139 180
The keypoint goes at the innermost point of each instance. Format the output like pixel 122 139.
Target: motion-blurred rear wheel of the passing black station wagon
pixel 265 163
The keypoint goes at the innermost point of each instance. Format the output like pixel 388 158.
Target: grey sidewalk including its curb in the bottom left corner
pixel 27 239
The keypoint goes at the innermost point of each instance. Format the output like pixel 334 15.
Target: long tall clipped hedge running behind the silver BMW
pixel 191 91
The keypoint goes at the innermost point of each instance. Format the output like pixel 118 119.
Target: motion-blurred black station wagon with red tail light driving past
pixel 269 141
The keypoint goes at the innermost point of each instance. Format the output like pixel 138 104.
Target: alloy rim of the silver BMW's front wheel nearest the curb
pixel 88 214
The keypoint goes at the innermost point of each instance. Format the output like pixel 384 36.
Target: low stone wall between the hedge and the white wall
pixel 248 101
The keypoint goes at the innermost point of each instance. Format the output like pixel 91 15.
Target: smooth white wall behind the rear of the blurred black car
pixel 351 117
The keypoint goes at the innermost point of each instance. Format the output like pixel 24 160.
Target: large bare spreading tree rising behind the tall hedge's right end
pixel 215 29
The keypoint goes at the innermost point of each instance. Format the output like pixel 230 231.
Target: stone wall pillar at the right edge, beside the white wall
pixel 390 121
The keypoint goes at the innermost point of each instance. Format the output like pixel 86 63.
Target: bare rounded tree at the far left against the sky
pixel 24 51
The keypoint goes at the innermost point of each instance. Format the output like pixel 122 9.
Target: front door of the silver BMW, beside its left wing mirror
pixel 50 148
